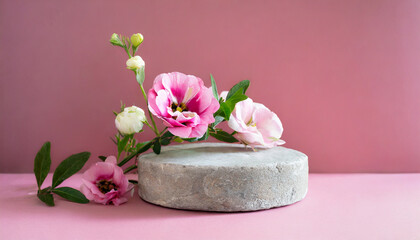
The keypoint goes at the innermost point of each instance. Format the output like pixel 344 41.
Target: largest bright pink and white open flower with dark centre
pixel 184 104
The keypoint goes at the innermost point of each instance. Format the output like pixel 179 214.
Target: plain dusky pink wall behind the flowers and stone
pixel 343 76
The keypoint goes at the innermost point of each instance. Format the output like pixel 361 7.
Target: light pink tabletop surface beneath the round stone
pixel 338 206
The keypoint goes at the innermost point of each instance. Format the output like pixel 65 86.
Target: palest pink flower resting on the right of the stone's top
pixel 256 125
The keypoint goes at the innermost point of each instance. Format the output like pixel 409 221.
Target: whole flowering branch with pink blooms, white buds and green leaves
pixel 189 110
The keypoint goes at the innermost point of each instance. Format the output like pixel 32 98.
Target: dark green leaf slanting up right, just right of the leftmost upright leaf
pixel 69 166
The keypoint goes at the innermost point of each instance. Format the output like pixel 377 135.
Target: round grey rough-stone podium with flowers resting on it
pixel 223 177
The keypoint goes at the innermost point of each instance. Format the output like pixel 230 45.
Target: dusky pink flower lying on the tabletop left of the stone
pixel 105 183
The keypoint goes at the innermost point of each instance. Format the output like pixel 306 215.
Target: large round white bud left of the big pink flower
pixel 130 121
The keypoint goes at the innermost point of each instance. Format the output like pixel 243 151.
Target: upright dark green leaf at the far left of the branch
pixel 42 163
